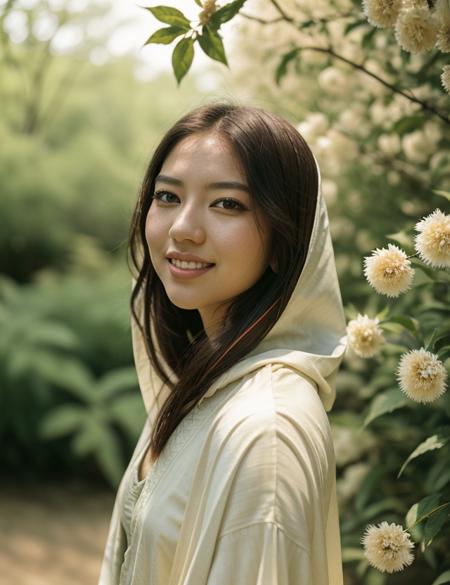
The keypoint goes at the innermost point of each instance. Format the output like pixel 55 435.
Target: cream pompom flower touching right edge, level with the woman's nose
pixel 433 241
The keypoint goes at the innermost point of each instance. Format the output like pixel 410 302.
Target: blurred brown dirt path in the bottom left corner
pixel 52 535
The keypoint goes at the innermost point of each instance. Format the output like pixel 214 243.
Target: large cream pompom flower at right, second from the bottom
pixel 421 375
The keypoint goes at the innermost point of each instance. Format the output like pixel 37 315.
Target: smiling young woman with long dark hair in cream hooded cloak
pixel 238 333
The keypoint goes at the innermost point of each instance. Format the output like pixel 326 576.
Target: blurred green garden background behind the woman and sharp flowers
pixel 83 104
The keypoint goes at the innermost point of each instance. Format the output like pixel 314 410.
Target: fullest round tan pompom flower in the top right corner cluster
pixel 416 29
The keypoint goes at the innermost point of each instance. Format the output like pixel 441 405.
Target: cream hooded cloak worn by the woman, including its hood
pixel 244 492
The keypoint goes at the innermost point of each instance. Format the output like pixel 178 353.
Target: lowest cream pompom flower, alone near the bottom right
pixel 387 547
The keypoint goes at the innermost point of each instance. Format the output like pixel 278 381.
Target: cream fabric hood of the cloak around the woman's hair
pixel 309 336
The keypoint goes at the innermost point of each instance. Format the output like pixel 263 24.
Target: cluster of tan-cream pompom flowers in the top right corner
pixel 417 27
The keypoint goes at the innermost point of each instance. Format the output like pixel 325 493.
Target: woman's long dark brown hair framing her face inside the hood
pixel 283 181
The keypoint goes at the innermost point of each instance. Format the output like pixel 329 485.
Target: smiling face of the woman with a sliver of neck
pixel 203 212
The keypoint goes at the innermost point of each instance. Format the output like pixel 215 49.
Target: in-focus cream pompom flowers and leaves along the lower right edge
pixel 421 375
